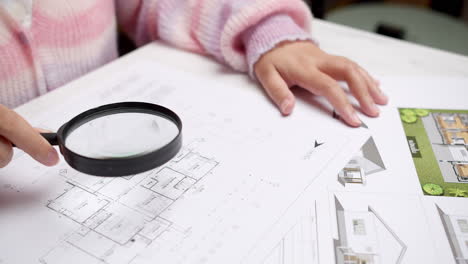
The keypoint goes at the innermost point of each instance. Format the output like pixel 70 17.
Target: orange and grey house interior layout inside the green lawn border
pixel 448 133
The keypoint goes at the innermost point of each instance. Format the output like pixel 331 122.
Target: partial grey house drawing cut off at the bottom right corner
pixel 456 229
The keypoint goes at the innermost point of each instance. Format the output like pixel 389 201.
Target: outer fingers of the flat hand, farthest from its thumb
pixel 361 85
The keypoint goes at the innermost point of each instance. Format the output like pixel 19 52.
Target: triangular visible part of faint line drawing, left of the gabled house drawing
pixel 299 245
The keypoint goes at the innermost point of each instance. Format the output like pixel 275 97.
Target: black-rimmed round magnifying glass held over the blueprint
pixel 119 139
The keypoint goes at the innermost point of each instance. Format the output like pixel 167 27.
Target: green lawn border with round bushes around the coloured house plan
pixel 427 166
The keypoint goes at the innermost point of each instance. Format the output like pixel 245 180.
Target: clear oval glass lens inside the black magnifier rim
pixel 121 135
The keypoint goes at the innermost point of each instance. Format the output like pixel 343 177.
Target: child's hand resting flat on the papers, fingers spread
pixel 305 65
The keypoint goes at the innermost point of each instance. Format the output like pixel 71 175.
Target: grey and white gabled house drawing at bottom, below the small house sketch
pixel 365 238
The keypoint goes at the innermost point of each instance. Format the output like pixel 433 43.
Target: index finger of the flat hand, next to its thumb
pixel 321 84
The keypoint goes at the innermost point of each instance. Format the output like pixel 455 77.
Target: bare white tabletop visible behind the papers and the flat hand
pixel 382 56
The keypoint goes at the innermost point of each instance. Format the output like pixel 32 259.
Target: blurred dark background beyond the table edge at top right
pixel 436 23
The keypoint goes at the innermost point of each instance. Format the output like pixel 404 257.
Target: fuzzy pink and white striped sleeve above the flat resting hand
pixel 235 32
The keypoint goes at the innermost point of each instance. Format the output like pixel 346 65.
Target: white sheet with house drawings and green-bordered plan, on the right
pixel 401 199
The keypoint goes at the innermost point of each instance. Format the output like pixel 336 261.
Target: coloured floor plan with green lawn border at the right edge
pixel 438 142
